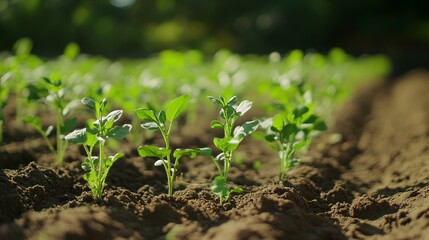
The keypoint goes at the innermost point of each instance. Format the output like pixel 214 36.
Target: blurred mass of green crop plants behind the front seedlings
pixel 330 78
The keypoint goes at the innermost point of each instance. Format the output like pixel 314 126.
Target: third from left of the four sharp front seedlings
pixel 233 135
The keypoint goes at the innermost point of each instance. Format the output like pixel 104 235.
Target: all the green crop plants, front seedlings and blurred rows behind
pixel 293 94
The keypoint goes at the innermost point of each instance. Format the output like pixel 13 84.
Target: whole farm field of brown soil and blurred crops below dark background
pixel 365 177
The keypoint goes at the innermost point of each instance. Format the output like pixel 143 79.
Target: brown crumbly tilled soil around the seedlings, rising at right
pixel 372 183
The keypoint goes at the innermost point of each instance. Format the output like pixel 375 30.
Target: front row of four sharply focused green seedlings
pixel 289 132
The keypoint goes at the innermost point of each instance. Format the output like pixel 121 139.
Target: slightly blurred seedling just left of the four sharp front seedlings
pixel 52 93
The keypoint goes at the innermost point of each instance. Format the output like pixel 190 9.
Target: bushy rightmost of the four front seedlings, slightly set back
pixel 289 132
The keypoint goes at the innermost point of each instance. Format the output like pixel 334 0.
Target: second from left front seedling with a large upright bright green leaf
pixel 163 122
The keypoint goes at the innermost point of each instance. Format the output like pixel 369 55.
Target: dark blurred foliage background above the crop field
pixel 118 28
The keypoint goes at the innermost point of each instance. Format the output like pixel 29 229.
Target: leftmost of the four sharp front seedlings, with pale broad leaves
pixel 98 132
